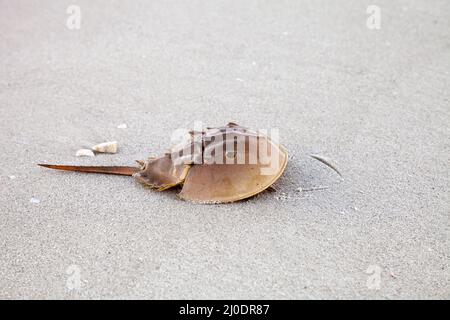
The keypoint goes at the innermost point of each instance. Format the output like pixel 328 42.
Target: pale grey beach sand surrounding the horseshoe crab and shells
pixel 375 101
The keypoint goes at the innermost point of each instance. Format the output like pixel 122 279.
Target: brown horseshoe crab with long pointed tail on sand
pixel 216 165
